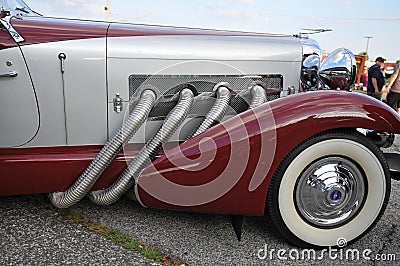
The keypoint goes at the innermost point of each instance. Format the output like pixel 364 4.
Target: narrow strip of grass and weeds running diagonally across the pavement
pixel 118 238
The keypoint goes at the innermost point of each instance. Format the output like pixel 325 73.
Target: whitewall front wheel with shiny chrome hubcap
pixel 333 187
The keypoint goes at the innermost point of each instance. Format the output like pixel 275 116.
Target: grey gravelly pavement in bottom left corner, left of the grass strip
pixel 30 235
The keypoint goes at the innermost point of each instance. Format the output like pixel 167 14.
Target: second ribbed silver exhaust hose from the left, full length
pixel 125 181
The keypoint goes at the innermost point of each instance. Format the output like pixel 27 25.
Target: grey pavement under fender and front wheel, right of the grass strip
pixel 202 239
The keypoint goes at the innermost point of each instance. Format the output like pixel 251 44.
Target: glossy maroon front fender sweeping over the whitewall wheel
pixel 228 168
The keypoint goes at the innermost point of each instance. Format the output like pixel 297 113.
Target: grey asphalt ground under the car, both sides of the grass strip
pixel 32 235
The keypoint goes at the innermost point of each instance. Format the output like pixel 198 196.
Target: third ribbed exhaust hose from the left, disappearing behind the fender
pixel 218 110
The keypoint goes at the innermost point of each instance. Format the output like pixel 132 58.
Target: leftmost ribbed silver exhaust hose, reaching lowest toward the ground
pixel 107 154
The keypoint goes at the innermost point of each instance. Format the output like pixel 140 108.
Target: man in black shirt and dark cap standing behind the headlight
pixel 376 80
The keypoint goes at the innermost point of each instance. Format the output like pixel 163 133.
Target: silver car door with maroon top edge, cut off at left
pixel 19 112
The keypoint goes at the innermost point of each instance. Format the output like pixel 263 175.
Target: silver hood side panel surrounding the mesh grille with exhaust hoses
pixel 196 55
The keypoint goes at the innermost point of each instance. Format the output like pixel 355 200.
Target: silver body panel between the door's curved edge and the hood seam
pixel 81 90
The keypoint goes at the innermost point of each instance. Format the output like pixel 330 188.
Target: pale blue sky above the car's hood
pixel 350 21
